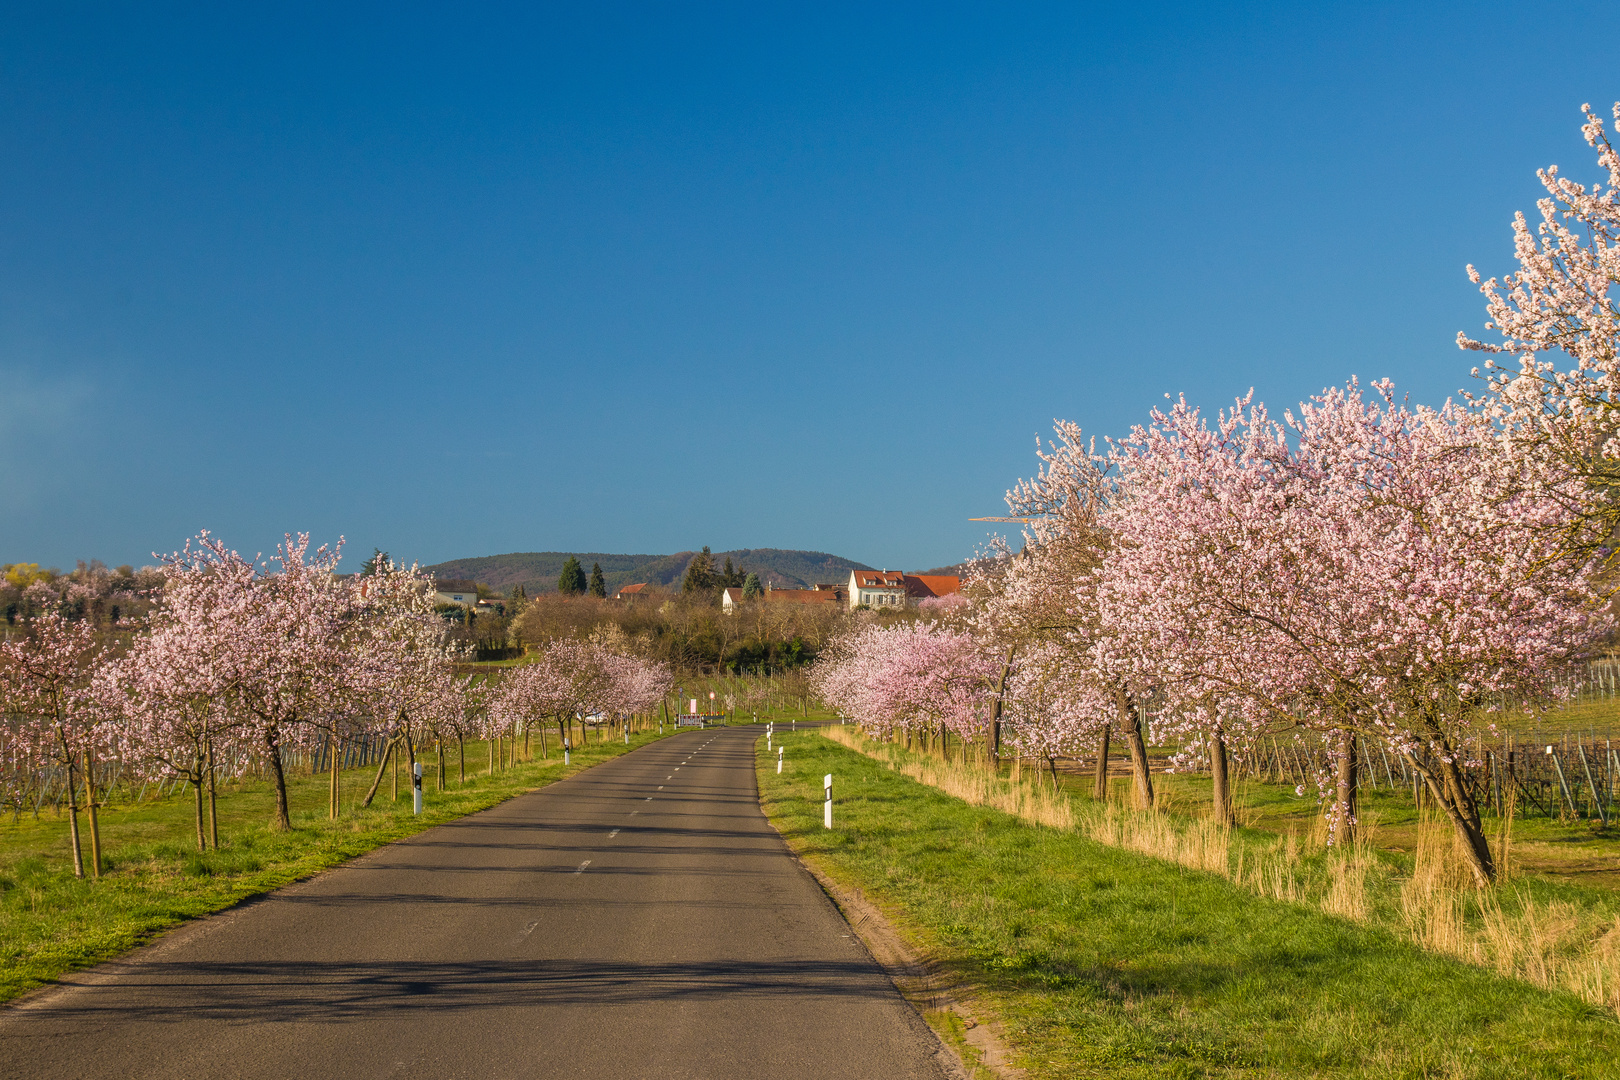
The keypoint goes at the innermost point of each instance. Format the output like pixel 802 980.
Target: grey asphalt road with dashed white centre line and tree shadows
pixel 637 921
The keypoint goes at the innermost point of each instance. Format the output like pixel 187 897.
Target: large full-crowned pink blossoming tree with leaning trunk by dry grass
pixel 1386 577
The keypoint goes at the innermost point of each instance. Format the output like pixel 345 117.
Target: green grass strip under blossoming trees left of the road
pixel 53 924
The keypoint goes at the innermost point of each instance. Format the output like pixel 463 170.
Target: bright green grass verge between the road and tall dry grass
pixel 1104 963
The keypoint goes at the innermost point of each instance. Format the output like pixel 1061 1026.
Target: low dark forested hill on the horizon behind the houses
pixel 537 571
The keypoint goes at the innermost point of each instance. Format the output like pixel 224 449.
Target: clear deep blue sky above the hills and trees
pixel 654 278
